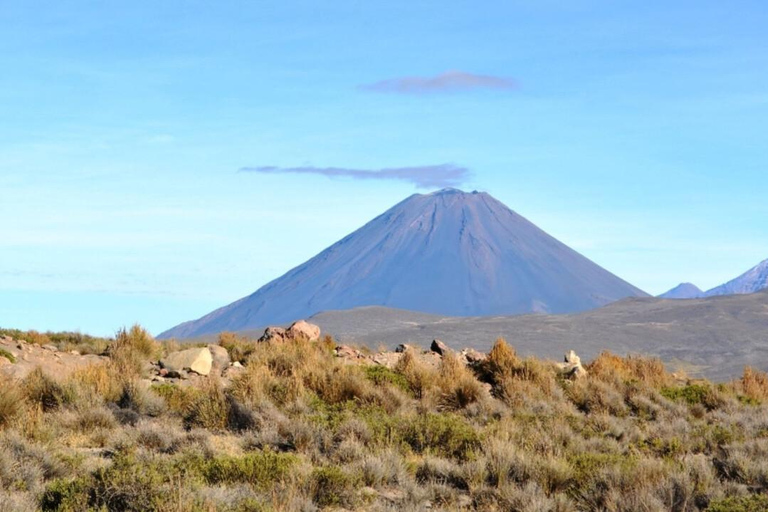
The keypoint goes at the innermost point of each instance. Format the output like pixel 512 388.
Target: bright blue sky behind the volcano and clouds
pixel 636 132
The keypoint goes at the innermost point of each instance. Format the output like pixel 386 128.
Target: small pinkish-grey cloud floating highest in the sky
pixel 450 81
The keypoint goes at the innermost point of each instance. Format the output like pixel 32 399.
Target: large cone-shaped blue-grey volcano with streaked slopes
pixel 449 253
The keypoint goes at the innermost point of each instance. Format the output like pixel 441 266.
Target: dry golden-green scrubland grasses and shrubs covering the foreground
pixel 300 429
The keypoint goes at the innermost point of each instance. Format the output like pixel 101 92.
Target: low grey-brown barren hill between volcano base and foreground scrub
pixel 714 337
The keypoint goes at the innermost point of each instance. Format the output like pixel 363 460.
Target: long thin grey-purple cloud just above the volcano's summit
pixel 428 176
